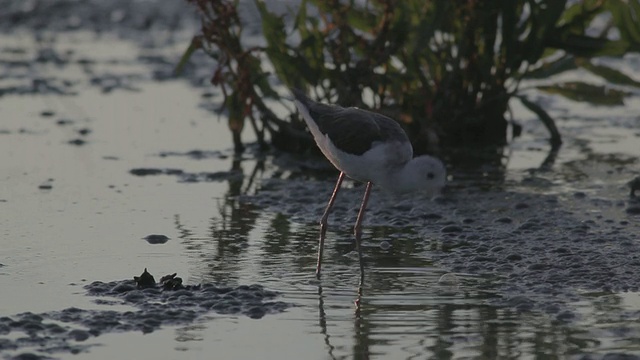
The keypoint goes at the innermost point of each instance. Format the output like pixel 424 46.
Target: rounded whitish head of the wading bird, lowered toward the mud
pixel 425 174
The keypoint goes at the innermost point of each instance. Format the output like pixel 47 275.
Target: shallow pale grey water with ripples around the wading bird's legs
pixel 541 248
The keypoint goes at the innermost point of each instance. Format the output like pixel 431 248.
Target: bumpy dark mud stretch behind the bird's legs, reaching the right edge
pixel 539 250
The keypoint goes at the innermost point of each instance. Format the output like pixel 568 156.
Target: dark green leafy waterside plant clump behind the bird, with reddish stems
pixel 446 70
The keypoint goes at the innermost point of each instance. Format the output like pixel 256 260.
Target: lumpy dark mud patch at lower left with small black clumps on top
pixel 167 303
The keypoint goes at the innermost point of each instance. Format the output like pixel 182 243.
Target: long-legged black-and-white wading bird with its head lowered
pixel 371 148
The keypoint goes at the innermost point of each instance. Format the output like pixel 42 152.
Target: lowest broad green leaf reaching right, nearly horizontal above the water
pixel 583 92
